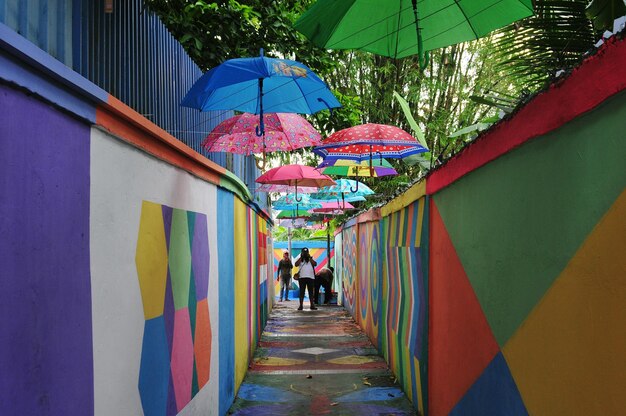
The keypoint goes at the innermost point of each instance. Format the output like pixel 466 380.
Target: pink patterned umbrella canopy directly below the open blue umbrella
pixel 283 131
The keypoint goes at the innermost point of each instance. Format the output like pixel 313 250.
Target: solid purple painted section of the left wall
pixel 46 354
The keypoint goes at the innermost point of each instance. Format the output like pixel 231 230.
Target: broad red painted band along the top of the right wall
pixel 596 79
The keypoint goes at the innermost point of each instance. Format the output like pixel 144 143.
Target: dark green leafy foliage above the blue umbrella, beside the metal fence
pixel 214 31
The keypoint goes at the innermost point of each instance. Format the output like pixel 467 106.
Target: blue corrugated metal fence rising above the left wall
pixel 130 54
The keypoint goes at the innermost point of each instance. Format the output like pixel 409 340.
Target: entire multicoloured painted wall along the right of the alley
pixel 503 275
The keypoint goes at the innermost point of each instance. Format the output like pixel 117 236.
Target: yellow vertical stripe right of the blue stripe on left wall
pixel 242 342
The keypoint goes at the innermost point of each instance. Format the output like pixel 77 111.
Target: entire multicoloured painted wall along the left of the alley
pixel 134 274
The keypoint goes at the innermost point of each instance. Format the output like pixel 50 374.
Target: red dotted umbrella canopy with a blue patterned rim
pixel 360 143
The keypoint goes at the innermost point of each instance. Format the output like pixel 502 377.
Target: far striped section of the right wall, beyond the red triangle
pixel 385 282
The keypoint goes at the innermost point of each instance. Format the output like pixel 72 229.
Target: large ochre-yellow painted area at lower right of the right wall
pixel 568 358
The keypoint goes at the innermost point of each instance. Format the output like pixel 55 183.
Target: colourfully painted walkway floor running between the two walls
pixel 317 363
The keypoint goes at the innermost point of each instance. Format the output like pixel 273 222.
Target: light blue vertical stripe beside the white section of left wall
pixel 226 270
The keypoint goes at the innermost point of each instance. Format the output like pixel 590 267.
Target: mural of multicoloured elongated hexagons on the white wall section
pixel 172 260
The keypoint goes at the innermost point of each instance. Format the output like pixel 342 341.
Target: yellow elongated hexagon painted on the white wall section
pixel 151 259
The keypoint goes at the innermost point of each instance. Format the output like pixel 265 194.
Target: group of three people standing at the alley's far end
pixel 308 279
